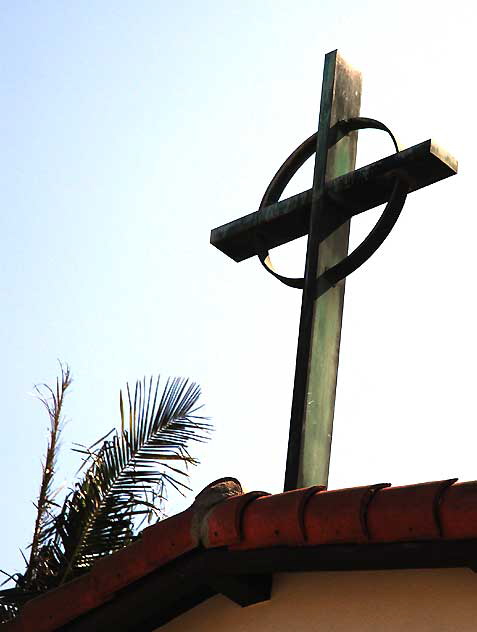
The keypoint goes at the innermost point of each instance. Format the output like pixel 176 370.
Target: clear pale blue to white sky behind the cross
pixel 129 130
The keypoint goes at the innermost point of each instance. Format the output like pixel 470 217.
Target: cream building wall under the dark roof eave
pixel 443 600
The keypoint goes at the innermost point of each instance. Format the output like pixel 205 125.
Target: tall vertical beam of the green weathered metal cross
pixel 316 370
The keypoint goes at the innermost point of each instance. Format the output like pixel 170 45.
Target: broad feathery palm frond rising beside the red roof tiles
pixel 126 477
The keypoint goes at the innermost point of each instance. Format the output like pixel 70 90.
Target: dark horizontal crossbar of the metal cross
pixel 348 195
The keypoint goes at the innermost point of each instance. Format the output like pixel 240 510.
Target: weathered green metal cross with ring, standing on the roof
pixel 324 213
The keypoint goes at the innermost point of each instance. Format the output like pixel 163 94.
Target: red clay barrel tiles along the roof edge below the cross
pixel 224 517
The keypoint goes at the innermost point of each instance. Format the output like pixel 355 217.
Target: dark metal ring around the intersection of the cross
pixel 371 243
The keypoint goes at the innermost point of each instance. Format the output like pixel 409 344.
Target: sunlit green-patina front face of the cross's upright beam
pixel 341 98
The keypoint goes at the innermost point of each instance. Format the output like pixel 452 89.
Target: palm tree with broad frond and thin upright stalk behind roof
pixel 124 481
